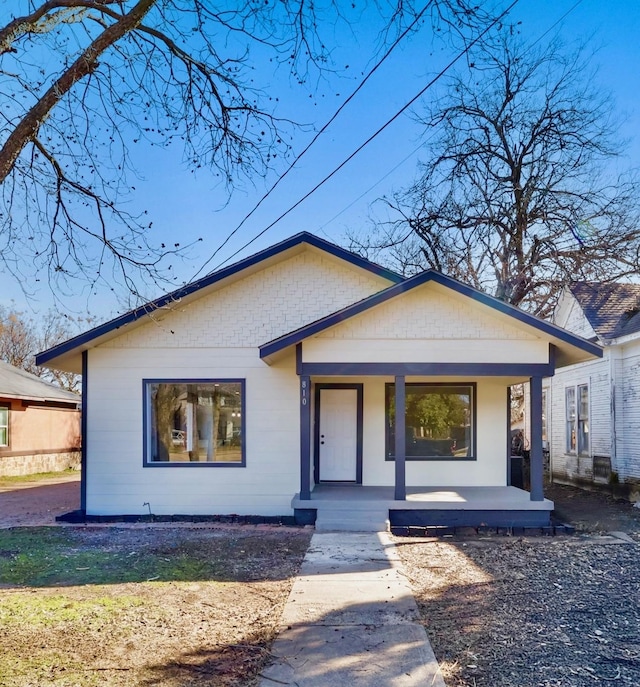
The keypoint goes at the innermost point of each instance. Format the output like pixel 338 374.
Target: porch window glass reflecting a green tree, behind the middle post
pixel 439 421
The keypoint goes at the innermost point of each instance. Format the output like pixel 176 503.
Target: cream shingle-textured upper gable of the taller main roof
pixel 258 308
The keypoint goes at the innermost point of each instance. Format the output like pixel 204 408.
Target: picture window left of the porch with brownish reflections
pixel 195 422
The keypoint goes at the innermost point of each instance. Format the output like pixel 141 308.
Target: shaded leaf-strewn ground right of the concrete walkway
pixel 535 612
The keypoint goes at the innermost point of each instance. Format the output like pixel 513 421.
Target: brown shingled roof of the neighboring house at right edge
pixel 613 310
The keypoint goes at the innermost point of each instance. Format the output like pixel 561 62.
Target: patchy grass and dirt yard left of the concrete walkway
pixel 143 605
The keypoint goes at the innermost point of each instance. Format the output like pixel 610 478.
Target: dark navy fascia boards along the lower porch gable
pixel 320 325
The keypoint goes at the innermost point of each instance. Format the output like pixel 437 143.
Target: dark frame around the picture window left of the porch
pixel 145 422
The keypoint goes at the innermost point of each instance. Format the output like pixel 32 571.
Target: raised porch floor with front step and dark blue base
pixel 374 508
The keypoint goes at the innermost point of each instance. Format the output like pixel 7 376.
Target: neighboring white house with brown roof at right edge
pixel 593 408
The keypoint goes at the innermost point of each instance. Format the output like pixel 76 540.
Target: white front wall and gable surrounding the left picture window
pixel 215 336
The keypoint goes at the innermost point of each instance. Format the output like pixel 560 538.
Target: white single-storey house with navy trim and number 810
pixel 260 388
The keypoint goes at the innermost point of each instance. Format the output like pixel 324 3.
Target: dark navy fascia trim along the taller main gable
pixel 175 296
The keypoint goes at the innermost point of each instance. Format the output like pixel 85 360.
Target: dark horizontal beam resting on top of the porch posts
pixel 430 369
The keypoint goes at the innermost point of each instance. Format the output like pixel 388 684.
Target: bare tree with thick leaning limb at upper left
pixel 84 81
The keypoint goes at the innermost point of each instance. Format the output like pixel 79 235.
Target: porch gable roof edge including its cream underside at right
pixel 570 348
